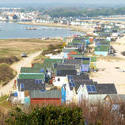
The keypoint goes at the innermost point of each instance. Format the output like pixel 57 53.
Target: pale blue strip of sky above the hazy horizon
pixel 61 2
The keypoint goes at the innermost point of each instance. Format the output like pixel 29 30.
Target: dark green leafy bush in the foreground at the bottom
pixel 47 115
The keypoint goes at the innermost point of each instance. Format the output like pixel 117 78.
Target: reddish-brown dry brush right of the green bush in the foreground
pixel 103 114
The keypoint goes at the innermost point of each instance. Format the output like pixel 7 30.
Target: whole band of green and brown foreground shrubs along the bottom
pixel 84 114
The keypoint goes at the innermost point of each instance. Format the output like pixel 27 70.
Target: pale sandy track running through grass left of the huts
pixel 17 66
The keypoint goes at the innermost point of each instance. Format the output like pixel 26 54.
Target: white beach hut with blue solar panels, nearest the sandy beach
pixel 94 92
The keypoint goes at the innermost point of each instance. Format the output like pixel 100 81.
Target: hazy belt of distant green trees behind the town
pixel 76 12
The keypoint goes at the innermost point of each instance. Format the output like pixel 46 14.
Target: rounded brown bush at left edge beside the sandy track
pixel 6 73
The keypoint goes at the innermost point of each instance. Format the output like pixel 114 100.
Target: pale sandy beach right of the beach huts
pixel 112 71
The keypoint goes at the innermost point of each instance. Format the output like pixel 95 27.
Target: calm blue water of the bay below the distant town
pixel 13 30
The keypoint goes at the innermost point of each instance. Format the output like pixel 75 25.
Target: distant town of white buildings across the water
pixel 37 16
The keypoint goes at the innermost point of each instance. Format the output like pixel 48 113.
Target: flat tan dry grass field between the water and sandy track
pixel 14 47
